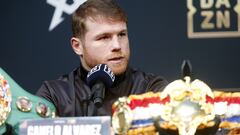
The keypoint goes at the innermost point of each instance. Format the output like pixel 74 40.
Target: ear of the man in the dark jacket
pixel 77 45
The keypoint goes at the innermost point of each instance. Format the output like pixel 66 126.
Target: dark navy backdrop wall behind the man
pixel 158 33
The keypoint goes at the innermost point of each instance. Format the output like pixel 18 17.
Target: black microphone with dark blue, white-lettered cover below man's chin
pixel 99 78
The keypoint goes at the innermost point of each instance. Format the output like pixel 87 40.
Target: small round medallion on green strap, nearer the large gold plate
pixel 24 104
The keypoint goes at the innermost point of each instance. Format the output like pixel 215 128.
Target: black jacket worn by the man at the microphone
pixel 72 96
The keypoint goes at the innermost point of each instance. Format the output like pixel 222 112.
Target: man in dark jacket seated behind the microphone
pixel 100 36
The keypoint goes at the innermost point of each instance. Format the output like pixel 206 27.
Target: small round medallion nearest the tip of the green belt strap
pixel 43 110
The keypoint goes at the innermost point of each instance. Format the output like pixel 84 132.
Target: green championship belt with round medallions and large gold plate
pixel 16 104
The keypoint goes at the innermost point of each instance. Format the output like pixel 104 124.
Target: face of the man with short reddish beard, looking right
pixel 106 42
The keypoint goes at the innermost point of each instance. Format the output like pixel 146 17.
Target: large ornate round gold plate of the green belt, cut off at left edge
pixel 5 99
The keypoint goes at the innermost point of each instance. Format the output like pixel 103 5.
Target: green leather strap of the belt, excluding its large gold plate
pixel 38 108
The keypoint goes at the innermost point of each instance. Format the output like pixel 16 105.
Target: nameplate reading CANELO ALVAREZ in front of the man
pixel 67 126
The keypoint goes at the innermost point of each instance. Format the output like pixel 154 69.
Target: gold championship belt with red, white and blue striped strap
pixel 183 107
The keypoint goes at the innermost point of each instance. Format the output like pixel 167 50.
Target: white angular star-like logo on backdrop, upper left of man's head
pixel 60 7
